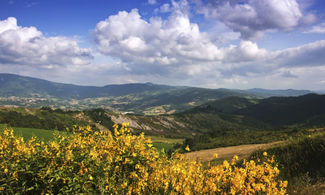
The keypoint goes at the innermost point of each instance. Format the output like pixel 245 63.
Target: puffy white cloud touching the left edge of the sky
pixel 28 46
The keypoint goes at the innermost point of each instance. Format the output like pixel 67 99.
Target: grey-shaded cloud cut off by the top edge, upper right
pixel 253 17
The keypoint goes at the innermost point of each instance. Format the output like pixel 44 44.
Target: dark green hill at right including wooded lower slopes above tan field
pixel 235 120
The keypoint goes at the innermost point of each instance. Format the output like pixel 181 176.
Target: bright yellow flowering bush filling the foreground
pixel 121 163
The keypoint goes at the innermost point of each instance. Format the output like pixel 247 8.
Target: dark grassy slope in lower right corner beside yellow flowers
pixel 301 162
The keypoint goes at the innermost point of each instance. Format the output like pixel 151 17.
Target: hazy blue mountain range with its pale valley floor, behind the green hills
pixel 141 98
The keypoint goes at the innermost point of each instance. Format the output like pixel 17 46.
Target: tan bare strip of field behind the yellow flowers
pixel 227 153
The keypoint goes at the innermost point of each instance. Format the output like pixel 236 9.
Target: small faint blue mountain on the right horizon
pixel 279 92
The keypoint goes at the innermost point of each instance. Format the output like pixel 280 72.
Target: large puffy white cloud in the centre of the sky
pixel 163 42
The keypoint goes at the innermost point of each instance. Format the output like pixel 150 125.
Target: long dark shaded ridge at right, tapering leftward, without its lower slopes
pixel 274 112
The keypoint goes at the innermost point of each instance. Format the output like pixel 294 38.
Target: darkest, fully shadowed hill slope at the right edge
pixel 280 111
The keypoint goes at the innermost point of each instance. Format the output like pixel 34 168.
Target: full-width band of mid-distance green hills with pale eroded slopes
pixel 224 122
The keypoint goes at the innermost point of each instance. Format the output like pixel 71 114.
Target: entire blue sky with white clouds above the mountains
pixel 242 44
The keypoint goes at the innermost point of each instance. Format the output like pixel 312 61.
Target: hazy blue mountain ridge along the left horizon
pixel 14 85
